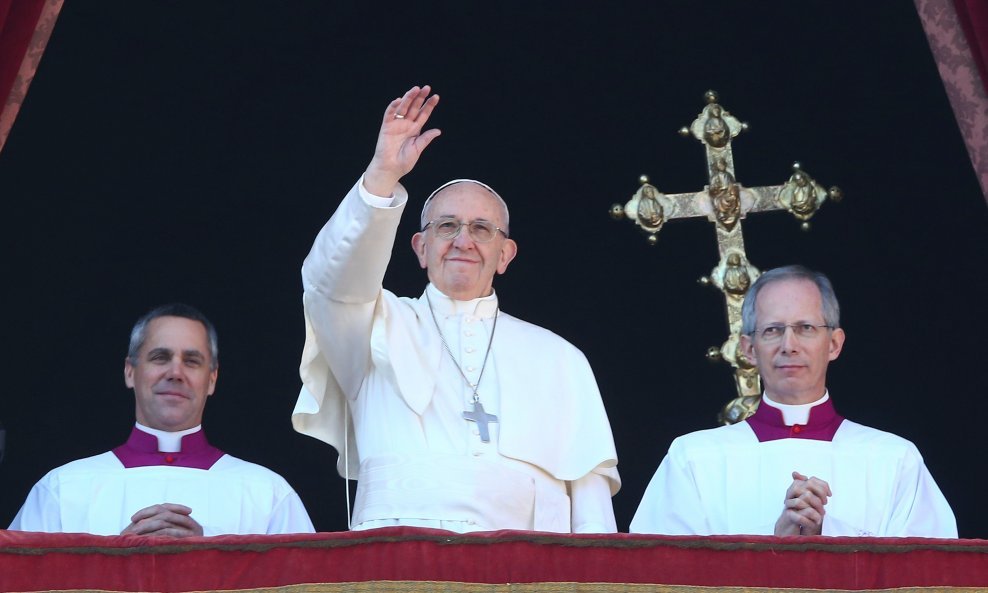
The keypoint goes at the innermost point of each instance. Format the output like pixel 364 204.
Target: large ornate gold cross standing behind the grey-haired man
pixel 725 202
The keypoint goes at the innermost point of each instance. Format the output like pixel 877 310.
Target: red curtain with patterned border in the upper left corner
pixel 25 26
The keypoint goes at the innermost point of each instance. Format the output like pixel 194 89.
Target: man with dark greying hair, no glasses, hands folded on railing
pixel 166 480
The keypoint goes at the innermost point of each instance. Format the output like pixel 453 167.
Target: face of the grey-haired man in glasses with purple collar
pixel 793 369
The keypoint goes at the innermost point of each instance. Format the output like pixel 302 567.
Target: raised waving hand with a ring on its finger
pixel 401 140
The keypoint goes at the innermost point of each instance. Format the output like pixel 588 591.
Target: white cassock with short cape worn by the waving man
pixel 380 388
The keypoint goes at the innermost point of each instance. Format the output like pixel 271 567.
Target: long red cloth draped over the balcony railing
pixel 407 560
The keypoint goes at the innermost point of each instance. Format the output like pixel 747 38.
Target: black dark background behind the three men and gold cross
pixel 190 151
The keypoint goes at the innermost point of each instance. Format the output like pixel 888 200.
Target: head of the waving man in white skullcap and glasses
pixel 462 268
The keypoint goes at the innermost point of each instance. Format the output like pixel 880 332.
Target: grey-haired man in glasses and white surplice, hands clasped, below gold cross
pixel 795 467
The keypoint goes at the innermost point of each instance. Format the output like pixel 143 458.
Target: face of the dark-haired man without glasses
pixel 172 376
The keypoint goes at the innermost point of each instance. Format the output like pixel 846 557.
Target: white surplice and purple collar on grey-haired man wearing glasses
pixel 733 479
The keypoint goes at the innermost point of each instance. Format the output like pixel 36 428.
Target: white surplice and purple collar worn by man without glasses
pixel 99 494
